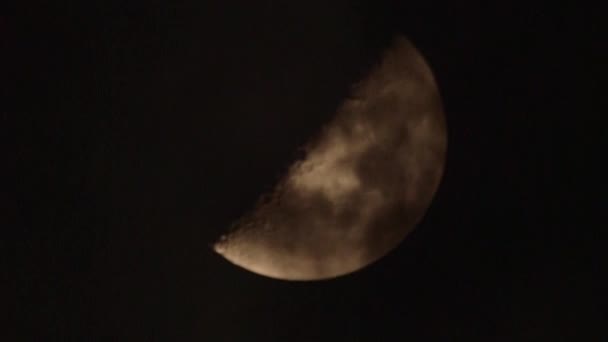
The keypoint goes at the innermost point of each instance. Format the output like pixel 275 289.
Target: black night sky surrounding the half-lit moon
pixel 134 132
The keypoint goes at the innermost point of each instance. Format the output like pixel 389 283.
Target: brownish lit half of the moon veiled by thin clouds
pixel 364 184
